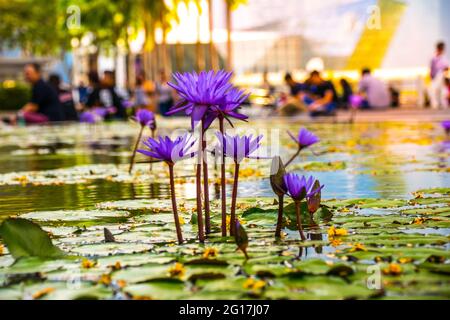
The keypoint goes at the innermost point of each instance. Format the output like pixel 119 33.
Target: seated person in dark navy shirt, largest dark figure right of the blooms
pixel 319 96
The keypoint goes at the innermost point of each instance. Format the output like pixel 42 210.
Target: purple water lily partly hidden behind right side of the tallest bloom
pixel 234 99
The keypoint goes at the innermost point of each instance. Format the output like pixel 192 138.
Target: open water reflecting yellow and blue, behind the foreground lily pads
pixel 381 160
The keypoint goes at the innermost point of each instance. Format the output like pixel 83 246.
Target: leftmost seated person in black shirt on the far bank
pixel 44 105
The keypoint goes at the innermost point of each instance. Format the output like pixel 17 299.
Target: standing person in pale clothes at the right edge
pixel 438 91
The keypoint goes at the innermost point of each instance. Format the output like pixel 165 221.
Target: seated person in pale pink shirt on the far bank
pixel 376 94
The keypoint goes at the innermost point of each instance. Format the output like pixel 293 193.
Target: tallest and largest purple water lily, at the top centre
pixel 199 92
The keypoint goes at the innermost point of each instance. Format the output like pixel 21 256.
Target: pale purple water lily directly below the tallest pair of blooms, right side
pixel 237 147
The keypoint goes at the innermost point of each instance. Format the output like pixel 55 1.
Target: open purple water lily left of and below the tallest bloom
pixel 169 151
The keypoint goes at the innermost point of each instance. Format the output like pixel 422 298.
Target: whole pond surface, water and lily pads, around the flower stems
pixel 70 183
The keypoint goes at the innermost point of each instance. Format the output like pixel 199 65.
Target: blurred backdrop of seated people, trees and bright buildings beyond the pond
pixel 79 60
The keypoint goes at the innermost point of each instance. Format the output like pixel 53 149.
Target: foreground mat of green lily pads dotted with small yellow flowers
pixel 356 249
